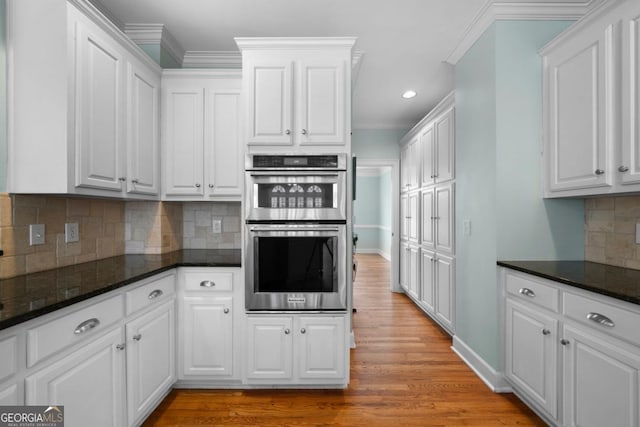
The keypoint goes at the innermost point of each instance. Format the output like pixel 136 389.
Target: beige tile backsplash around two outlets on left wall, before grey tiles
pixel 100 223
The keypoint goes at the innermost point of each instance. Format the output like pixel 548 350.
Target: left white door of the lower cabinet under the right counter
pixel 531 354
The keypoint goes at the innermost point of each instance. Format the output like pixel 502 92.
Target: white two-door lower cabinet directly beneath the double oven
pixel 298 349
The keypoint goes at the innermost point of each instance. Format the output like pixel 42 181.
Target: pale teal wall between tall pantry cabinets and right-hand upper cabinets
pixel 498 175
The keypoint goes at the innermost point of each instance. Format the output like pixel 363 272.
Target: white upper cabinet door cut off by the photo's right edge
pixel 629 169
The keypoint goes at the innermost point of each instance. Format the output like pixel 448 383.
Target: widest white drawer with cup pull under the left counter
pixel 57 334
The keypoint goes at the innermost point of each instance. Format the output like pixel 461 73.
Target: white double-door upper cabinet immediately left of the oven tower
pixel 201 138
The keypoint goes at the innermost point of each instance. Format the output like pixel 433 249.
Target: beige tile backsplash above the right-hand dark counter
pixel 610 230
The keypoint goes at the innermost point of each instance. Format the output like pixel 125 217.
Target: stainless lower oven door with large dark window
pixel 296 267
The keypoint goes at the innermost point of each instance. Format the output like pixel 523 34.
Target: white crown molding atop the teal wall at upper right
pixel 494 10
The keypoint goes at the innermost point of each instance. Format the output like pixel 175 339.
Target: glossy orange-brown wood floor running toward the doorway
pixel 403 373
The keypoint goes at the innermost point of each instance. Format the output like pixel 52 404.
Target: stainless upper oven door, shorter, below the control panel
pixel 295 196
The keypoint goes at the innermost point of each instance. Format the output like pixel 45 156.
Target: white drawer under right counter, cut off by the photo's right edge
pixel 604 317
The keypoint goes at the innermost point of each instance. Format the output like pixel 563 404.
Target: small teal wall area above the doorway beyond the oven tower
pixel 376 143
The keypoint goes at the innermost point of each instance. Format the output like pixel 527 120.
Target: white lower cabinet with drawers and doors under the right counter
pixel 573 355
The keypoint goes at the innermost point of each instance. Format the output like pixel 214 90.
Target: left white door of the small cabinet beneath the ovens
pixel 270 348
